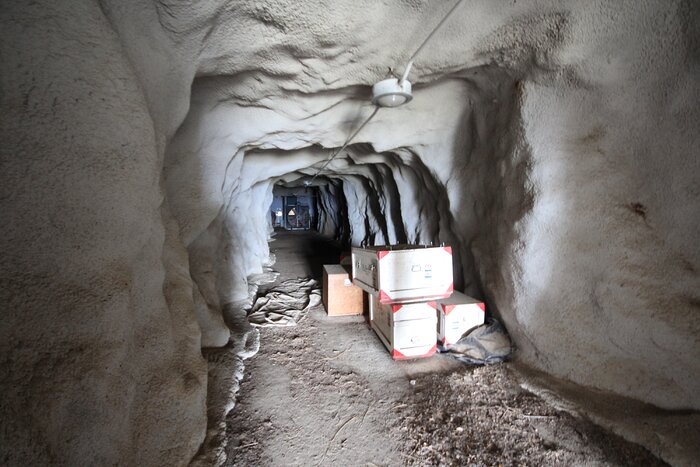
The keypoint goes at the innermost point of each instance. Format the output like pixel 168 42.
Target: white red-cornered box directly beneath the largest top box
pixel 406 330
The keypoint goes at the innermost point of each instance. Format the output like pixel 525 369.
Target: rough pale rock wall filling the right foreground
pixel 607 258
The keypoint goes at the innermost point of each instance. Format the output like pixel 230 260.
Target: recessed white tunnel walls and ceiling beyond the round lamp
pixel 444 181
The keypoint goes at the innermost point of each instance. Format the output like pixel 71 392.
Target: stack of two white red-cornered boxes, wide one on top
pixel 403 282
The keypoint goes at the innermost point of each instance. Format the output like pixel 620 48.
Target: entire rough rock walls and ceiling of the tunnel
pixel 554 145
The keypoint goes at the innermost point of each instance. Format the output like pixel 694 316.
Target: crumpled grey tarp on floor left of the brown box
pixel 286 304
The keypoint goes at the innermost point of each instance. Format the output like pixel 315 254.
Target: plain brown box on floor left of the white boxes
pixel 340 296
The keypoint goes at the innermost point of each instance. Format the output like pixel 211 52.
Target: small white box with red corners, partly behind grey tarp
pixel 457 315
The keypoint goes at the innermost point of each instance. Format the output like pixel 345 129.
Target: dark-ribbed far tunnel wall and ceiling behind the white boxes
pixel 367 198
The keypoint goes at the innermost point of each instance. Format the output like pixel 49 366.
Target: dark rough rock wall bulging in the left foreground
pixel 98 341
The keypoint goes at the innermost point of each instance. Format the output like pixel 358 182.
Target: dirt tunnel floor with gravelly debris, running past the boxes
pixel 326 392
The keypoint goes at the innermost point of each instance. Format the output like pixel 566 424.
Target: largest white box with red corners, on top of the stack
pixel 403 273
